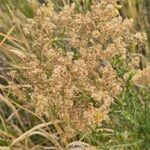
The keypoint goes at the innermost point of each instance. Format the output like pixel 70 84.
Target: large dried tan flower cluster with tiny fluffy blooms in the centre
pixel 68 69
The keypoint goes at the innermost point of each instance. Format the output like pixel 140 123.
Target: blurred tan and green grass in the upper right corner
pixel 139 10
